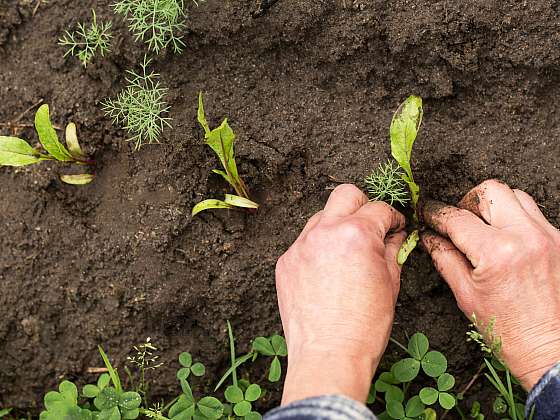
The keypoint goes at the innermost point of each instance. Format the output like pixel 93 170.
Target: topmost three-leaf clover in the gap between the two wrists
pixel 433 363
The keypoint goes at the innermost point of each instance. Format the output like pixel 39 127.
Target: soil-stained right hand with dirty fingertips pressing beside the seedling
pixel 501 258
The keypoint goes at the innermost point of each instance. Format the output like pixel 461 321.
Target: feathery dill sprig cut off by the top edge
pixel 156 22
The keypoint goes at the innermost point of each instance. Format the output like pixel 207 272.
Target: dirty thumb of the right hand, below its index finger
pixel 452 266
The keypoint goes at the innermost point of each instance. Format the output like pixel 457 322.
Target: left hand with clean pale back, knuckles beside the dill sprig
pixel 337 286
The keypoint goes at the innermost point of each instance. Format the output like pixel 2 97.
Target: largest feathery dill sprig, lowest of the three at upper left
pixel 140 106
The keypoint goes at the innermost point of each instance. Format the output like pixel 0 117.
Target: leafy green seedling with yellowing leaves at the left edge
pixel 18 152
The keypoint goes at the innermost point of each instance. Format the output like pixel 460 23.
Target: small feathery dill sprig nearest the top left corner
pixel 85 42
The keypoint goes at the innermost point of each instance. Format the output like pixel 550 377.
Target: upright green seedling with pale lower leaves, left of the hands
pixel 221 140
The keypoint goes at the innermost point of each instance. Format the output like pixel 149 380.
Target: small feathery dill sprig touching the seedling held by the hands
pixel 386 184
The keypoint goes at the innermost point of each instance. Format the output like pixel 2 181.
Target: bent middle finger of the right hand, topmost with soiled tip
pixel 495 202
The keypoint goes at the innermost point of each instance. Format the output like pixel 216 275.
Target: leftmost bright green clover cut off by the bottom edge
pixel 63 404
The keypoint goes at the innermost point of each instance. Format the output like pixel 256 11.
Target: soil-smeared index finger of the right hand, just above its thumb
pixel 467 232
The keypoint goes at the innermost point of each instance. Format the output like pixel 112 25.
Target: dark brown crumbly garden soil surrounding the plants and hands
pixel 309 87
